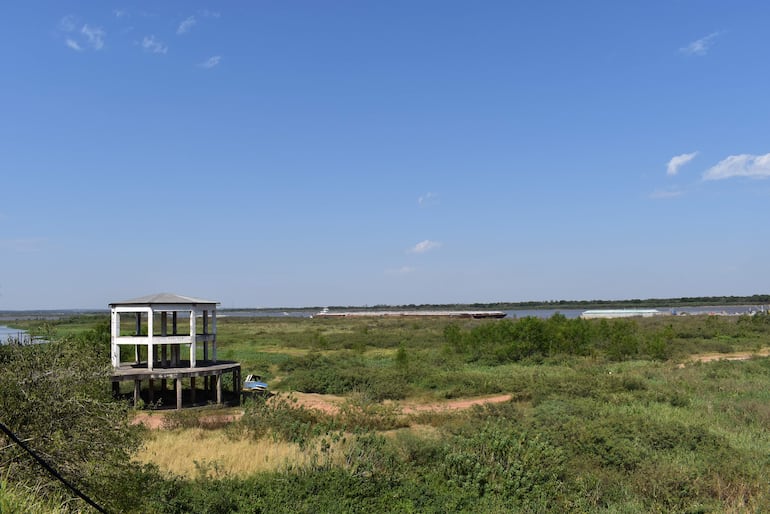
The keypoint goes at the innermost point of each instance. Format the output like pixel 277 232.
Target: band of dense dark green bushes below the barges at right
pixel 533 339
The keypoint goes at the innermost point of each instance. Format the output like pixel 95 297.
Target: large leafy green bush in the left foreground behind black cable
pixel 56 398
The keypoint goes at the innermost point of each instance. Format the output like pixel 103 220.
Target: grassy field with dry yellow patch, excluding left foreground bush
pixel 605 416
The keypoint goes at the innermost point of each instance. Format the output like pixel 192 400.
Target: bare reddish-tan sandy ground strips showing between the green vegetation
pixel 330 404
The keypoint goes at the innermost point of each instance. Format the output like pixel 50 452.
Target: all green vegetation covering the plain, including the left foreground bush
pixel 606 416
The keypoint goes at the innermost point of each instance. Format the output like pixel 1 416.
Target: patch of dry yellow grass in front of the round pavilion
pixel 178 451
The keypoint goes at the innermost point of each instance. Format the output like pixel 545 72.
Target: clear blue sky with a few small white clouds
pixel 274 153
